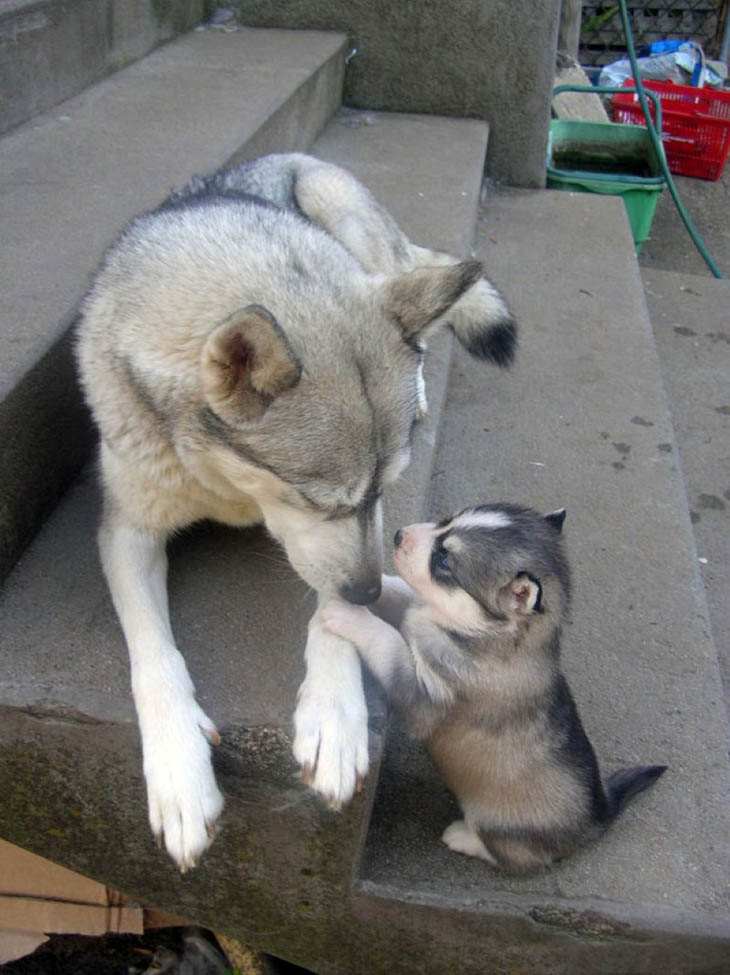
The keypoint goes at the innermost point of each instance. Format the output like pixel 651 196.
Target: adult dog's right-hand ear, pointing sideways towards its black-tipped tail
pixel 420 297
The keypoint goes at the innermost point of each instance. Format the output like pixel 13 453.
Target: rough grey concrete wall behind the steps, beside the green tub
pixel 489 59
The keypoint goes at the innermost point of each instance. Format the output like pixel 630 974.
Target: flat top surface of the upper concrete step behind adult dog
pixel 73 176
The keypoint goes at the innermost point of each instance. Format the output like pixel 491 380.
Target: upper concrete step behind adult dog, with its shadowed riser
pixel 72 176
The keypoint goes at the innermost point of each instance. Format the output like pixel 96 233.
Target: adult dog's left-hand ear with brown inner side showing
pixel 246 362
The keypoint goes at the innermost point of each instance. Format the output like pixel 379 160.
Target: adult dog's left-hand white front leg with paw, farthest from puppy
pixel 183 798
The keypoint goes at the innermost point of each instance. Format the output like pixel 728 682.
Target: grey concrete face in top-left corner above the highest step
pixel 52 49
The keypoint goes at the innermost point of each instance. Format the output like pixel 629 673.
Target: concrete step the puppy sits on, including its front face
pixel 581 421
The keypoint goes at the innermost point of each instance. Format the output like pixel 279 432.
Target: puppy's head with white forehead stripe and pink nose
pixel 489 570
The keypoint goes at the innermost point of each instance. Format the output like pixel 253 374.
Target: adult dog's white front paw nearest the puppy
pixel 331 741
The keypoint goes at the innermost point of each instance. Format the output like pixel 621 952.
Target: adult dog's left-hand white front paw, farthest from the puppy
pixel 183 800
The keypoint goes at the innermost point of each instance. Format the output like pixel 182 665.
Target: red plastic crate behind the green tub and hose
pixel 695 125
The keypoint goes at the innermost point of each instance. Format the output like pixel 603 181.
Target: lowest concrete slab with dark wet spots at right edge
pixel 689 315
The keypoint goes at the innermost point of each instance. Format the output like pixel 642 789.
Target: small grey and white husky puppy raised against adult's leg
pixel 468 647
